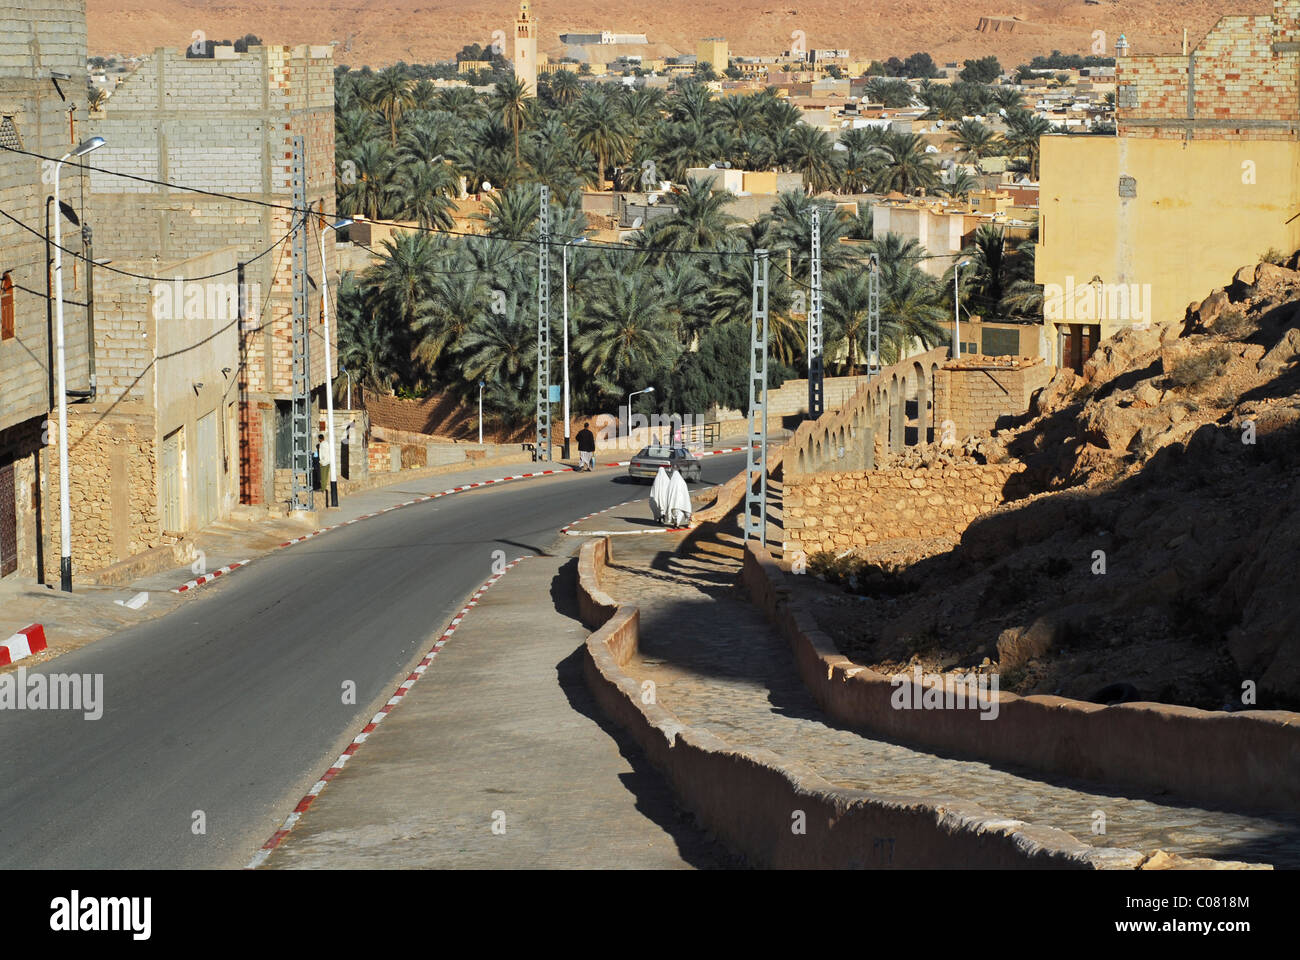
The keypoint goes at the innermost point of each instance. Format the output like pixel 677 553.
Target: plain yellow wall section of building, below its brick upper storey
pixel 1133 231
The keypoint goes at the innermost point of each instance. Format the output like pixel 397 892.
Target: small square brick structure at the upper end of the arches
pixel 974 393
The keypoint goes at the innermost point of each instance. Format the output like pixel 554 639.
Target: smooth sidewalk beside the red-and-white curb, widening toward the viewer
pixel 500 733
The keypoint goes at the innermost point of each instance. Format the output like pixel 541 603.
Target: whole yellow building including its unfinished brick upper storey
pixel 1203 179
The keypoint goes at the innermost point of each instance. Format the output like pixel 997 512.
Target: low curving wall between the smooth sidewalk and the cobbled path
pixel 752 799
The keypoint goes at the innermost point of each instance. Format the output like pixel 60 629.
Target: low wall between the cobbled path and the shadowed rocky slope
pixel 1249 759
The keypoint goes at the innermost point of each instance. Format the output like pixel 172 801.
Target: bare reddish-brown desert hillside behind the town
pixel 427 31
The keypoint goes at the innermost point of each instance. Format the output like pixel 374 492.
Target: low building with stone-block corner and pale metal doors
pixel 157 453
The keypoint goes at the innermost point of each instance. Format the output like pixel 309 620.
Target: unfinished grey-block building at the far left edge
pixel 41 40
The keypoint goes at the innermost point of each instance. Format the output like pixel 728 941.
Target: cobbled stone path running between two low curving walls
pixel 718 664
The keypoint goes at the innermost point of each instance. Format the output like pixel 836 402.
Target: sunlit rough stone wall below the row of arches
pixel 839 512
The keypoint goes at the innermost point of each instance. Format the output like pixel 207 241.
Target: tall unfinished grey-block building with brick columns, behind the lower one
pixel 227 126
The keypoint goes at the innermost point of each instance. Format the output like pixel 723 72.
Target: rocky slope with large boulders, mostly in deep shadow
pixel 1160 560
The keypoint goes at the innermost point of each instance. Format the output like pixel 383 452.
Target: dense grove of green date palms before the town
pixel 444 312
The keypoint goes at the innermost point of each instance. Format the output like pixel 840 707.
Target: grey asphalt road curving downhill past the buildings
pixel 229 708
